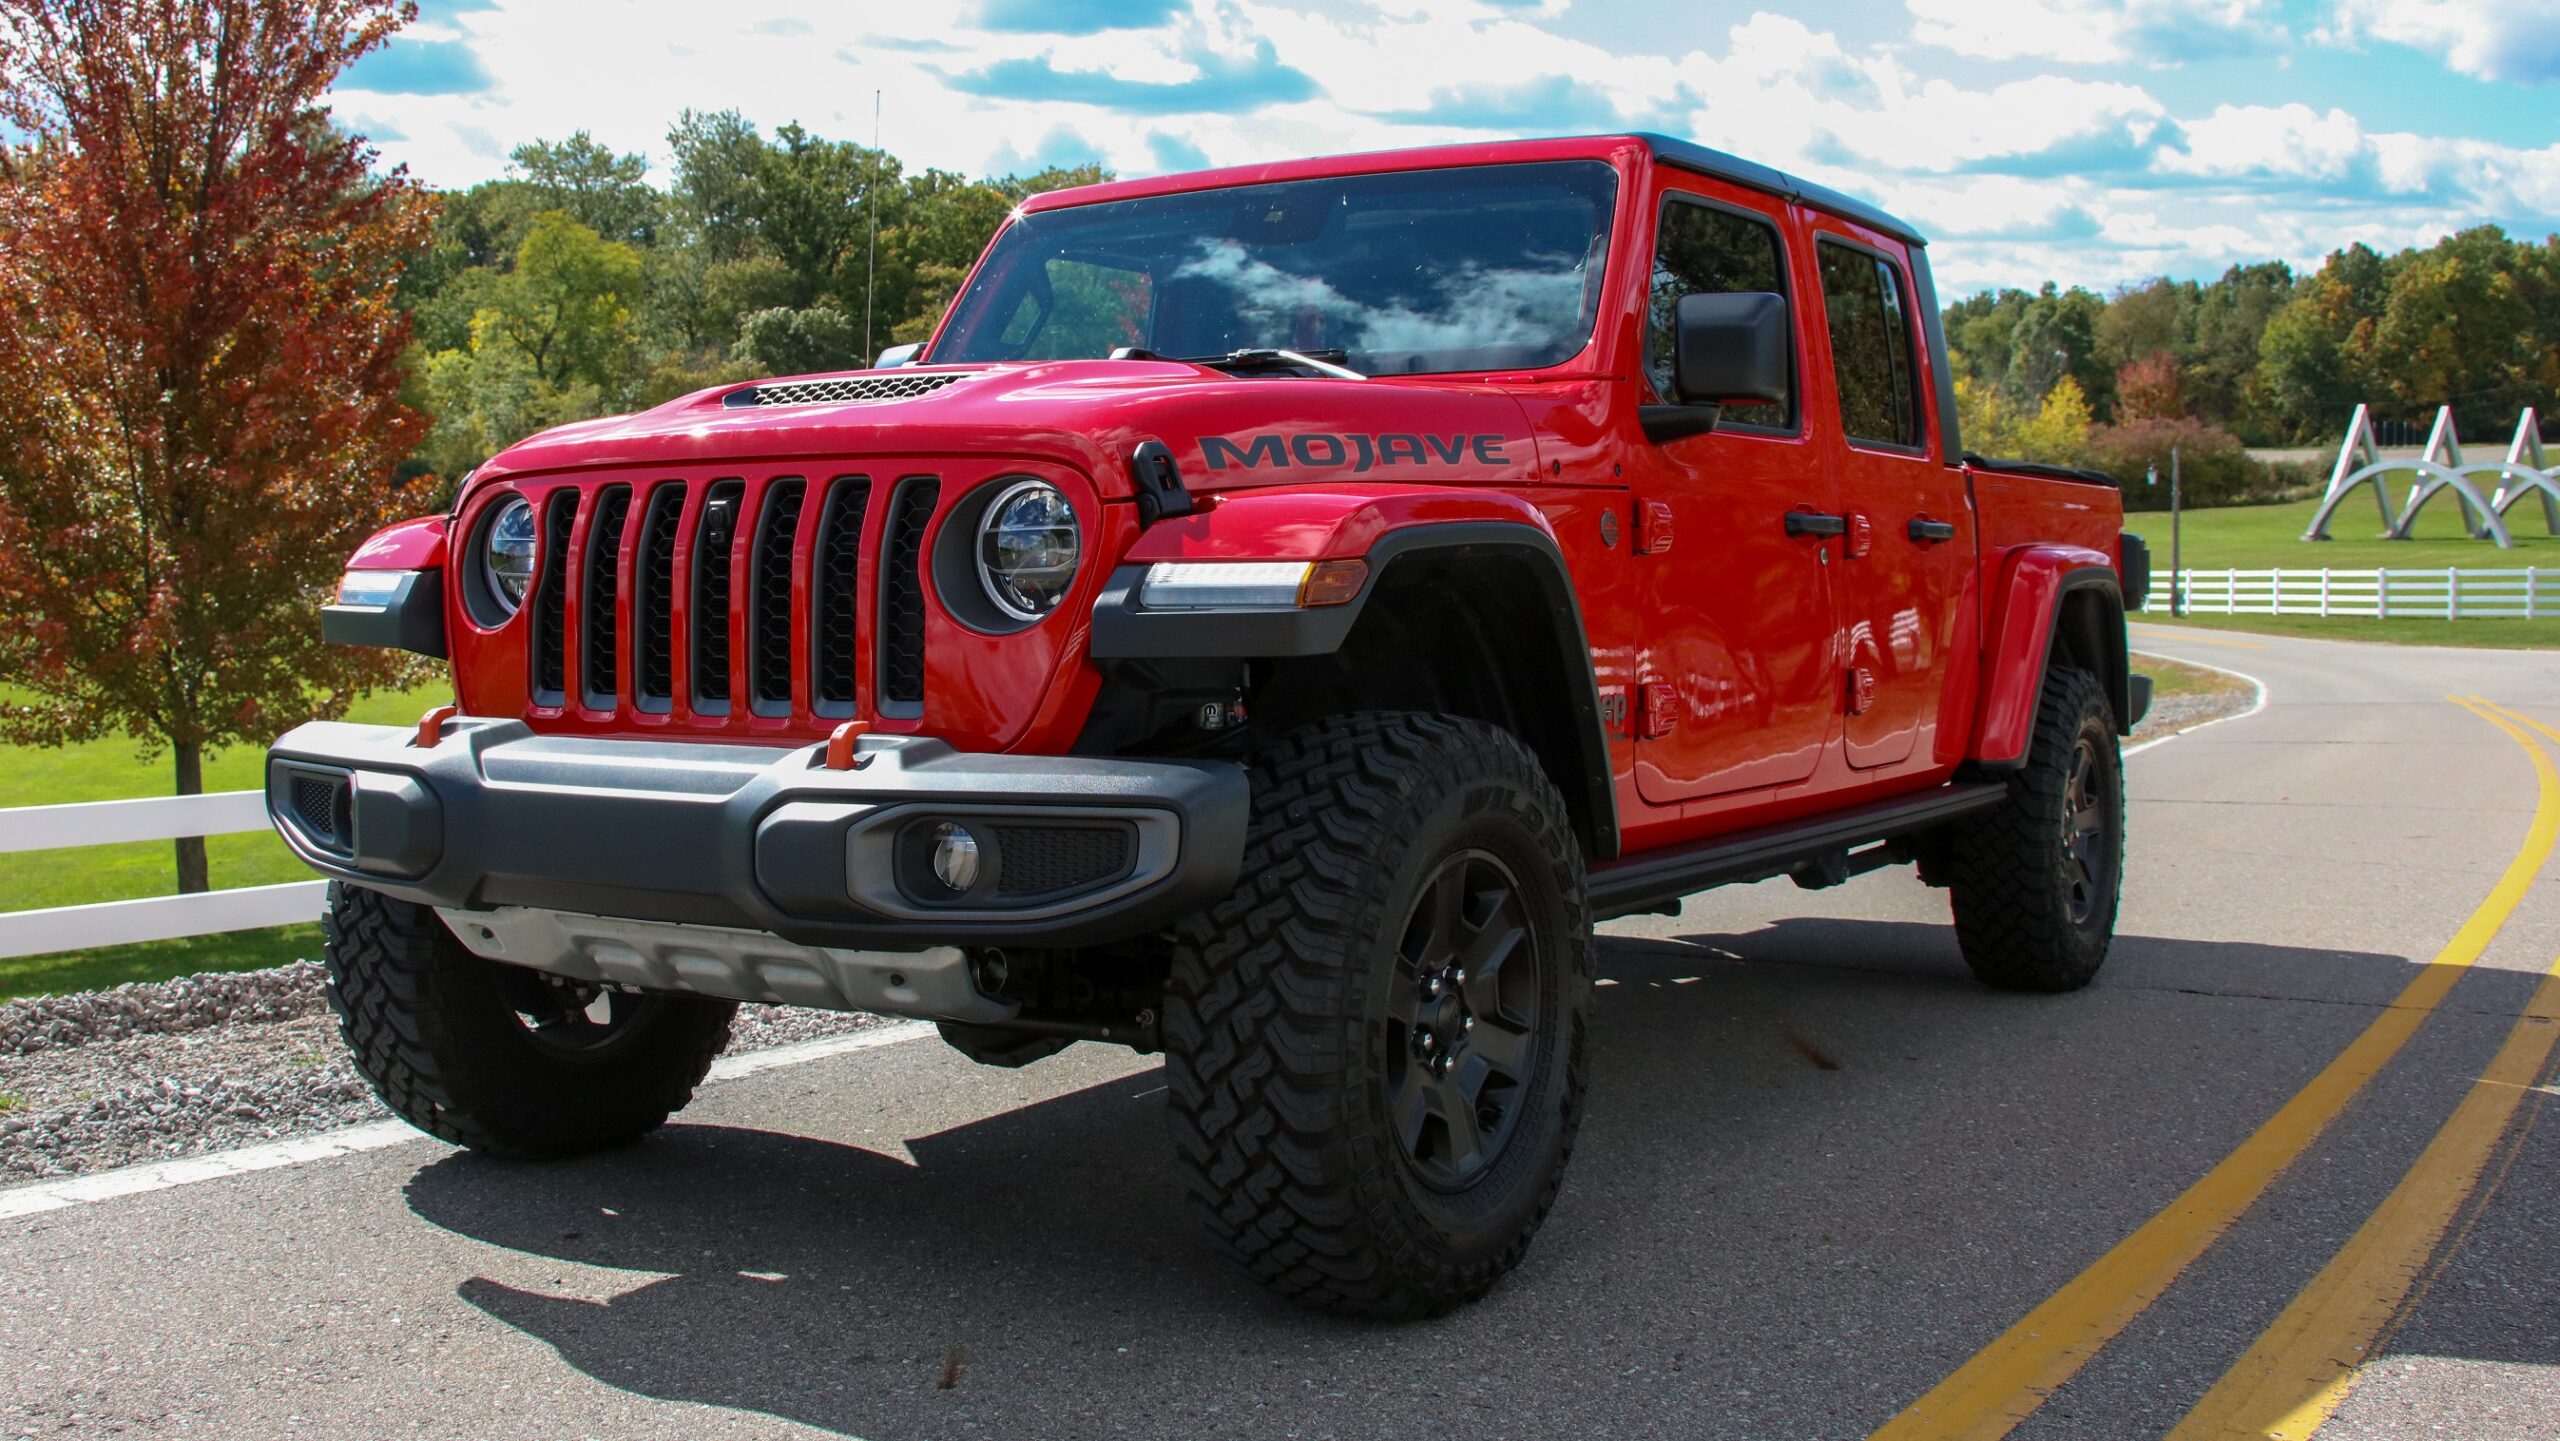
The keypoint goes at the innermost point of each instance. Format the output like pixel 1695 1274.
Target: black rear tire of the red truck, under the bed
pixel 2011 872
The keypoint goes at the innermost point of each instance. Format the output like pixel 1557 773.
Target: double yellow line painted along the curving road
pixel 2303 1368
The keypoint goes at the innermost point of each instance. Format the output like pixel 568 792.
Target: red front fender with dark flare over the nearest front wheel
pixel 1379 526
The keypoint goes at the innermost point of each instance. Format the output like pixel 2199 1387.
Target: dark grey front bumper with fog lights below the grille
pixel 746 838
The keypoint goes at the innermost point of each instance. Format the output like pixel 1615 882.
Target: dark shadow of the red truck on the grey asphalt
pixel 1821 1166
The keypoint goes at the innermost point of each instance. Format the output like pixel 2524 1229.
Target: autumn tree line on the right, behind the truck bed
pixel 2262 357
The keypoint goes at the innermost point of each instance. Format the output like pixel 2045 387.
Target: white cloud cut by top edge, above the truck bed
pixel 2095 32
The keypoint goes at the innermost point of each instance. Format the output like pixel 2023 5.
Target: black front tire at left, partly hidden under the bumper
pixel 434 1028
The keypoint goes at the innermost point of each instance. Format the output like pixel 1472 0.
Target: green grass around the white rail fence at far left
pixel 114 772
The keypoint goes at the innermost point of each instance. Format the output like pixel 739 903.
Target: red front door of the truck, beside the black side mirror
pixel 1740 674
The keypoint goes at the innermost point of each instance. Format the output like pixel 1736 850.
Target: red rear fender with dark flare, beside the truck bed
pixel 2029 603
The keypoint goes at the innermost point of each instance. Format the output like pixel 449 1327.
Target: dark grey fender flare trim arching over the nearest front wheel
pixel 1125 631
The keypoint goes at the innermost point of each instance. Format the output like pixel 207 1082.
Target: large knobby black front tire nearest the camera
pixel 1276 1046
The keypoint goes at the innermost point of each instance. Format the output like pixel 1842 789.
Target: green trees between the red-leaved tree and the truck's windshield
pixel 580 285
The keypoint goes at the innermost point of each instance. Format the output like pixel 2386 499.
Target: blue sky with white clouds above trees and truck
pixel 2090 142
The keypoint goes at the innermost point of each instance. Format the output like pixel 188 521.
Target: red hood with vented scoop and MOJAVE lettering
pixel 1225 431
